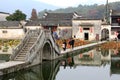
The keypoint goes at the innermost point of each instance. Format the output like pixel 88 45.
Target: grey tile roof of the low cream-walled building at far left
pixel 9 24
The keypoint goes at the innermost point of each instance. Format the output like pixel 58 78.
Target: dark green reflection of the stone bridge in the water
pixel 46 71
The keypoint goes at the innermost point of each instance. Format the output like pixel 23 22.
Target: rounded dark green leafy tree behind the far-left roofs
pixel 17 16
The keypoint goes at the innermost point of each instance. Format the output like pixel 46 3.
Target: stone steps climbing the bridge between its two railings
pixel 23 52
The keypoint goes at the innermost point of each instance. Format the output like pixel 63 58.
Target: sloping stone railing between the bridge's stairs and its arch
pixel 35 48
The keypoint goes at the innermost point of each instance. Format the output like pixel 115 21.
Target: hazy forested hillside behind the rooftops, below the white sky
pixel 90 11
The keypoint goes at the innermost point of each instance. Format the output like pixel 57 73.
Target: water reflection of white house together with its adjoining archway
pixel 93 57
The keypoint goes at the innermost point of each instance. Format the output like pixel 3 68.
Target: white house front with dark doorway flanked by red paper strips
pixel 87 29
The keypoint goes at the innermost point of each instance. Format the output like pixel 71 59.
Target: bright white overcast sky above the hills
pixel 69 3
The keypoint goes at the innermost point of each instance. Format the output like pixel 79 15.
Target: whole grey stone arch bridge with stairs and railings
pixel 37 45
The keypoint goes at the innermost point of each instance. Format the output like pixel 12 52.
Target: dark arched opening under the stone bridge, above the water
pixel 47 50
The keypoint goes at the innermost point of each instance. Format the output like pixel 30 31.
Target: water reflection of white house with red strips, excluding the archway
pixel 88 58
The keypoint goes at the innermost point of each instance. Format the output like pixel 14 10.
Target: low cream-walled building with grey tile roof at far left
pixel 11 30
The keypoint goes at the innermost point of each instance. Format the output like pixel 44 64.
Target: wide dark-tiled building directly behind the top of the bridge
pixel 59 23
